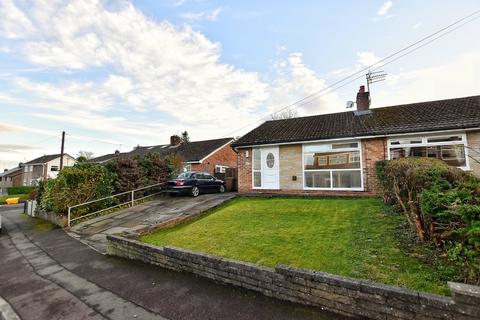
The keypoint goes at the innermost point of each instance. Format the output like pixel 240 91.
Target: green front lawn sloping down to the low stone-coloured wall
pixel 350 237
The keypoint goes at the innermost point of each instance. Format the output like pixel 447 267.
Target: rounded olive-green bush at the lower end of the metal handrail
pixel 75 185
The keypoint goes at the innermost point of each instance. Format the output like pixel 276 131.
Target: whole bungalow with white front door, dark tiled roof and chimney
pixel 337 153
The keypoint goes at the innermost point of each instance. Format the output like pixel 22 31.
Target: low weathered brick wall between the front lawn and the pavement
pixel 346 296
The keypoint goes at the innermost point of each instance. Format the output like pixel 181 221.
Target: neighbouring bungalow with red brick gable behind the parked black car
pixel 212 156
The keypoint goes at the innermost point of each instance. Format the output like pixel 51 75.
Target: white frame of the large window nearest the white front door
pixel 358 148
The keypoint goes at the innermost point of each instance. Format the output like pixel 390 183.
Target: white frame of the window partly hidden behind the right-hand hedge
pixel 425 143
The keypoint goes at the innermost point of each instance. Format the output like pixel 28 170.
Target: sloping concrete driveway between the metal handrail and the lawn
pixel 94 232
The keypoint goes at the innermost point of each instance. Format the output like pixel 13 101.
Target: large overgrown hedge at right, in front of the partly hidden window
pixel 441 203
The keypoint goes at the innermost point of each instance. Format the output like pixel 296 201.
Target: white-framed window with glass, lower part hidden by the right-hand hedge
pixel 451 148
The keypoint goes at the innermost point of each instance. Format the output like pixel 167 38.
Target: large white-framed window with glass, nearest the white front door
pixel 333 166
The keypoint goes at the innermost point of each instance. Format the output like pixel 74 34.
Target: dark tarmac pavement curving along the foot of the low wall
pixel 46 274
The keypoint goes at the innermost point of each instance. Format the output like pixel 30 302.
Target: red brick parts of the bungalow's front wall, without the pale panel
pixel 372 151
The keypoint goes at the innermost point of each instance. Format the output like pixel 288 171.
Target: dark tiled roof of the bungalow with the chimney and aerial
pixel 459 113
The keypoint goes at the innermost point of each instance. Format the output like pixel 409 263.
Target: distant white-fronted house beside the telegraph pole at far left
pixel 42 168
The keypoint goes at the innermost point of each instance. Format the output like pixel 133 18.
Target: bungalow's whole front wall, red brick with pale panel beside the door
pixel 291 164
